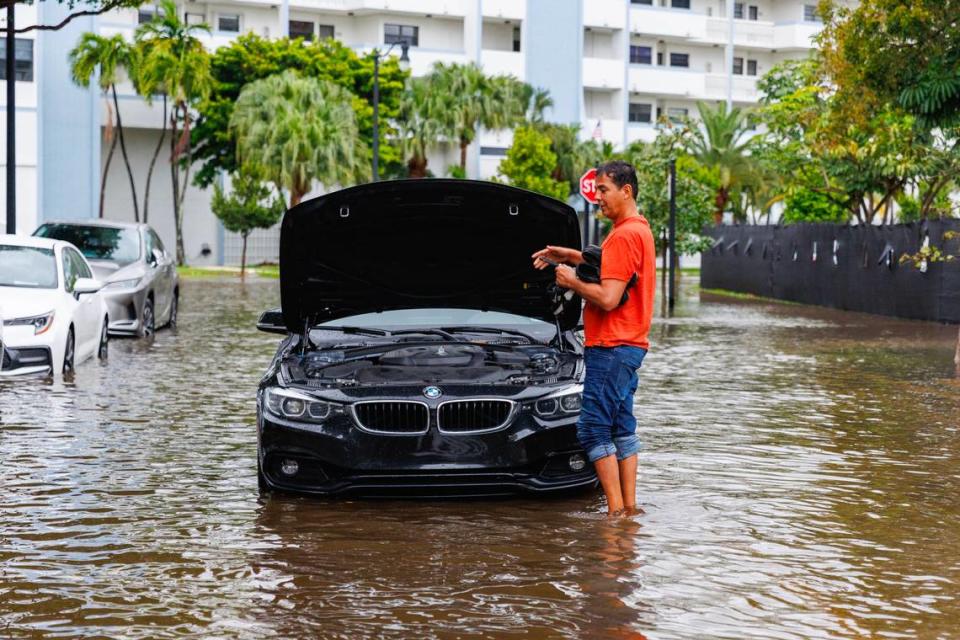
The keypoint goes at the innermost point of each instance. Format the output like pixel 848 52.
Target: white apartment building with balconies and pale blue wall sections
pixel 611 66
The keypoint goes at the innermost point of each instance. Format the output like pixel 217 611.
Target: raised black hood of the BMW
pixel 422 243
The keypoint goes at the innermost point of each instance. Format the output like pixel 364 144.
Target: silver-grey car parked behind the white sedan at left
pixel 142 286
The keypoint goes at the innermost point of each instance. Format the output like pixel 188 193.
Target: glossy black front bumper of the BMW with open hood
pixel 344 460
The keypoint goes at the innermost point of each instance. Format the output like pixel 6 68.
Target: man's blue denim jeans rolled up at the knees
pixel 607 426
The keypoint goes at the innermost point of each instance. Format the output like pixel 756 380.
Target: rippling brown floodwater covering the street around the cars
pixel 801 479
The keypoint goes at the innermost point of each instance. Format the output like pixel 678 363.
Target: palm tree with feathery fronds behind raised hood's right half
pixel 468 100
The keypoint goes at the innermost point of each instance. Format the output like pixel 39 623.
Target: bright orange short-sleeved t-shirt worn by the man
pixel 627 250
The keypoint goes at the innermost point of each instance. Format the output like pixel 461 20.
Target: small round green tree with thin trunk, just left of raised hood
pixel 250 205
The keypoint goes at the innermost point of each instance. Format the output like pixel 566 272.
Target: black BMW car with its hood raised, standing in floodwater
pixel 424 355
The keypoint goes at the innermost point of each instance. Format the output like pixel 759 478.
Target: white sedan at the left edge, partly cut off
pixel 53 314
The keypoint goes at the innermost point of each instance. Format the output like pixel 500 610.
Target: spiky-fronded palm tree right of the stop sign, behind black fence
pixel 719 143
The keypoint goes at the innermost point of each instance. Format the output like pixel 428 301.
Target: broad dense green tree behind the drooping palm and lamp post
pixel 249 58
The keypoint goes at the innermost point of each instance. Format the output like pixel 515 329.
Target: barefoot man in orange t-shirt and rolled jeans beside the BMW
pixel 616 335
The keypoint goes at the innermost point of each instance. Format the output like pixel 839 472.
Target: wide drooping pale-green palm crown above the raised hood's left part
pixel 299 130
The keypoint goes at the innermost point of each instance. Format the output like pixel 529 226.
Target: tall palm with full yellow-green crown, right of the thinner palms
pixel 176 62
